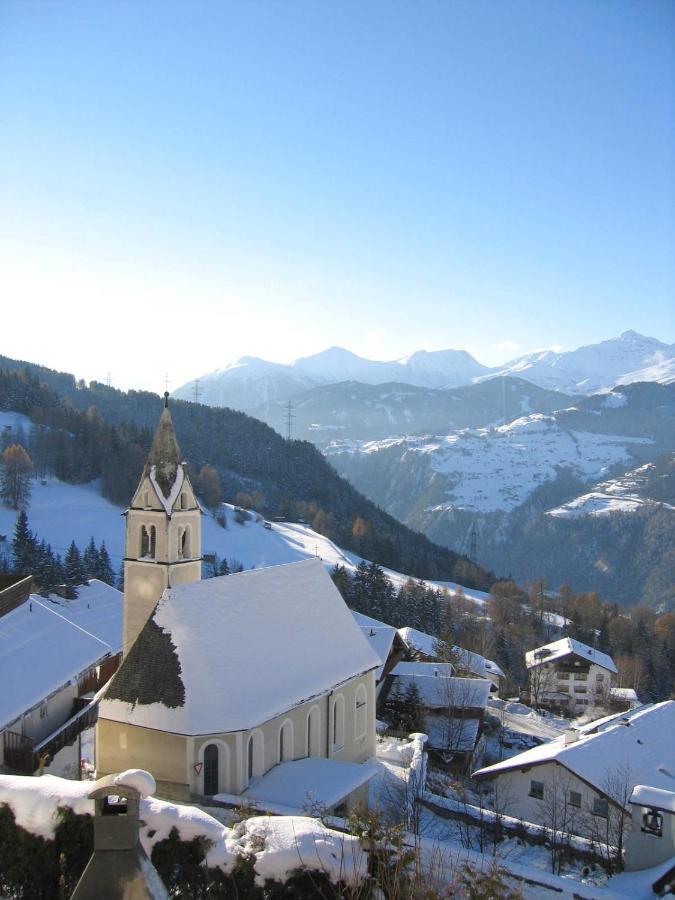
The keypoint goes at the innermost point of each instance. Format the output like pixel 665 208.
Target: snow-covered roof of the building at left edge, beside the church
pixel 46 643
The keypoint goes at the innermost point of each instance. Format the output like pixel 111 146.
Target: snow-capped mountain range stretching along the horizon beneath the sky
pixel 252 382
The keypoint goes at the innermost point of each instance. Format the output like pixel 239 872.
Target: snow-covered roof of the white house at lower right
pixel 638 742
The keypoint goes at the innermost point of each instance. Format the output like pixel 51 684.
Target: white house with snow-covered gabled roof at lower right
pixel 593 768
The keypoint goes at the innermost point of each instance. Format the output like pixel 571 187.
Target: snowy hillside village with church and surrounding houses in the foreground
pixel 262 704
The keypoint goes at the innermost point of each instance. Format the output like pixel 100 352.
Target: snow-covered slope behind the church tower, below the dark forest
pixel 61 512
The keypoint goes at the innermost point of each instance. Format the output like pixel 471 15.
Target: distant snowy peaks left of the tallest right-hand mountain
pixel 252 381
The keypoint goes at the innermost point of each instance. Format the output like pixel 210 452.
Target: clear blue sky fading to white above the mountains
pixel 183 183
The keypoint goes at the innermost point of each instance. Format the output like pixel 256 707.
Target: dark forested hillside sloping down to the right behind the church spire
pixel 82 433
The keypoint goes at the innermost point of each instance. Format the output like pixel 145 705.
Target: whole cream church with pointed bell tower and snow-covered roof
pixel 237 685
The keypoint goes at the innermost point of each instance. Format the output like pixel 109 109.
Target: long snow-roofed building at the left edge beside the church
pixel 52 651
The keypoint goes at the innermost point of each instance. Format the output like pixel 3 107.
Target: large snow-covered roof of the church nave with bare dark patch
pixel 232 652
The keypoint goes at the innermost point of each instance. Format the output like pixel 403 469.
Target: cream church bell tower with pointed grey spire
pixel 163 531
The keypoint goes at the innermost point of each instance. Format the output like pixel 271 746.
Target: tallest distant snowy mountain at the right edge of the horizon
pixel 597 367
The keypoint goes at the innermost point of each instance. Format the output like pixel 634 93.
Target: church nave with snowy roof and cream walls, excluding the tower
pixel 234 675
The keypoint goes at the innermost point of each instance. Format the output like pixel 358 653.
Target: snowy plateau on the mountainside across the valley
pixel 490 469
